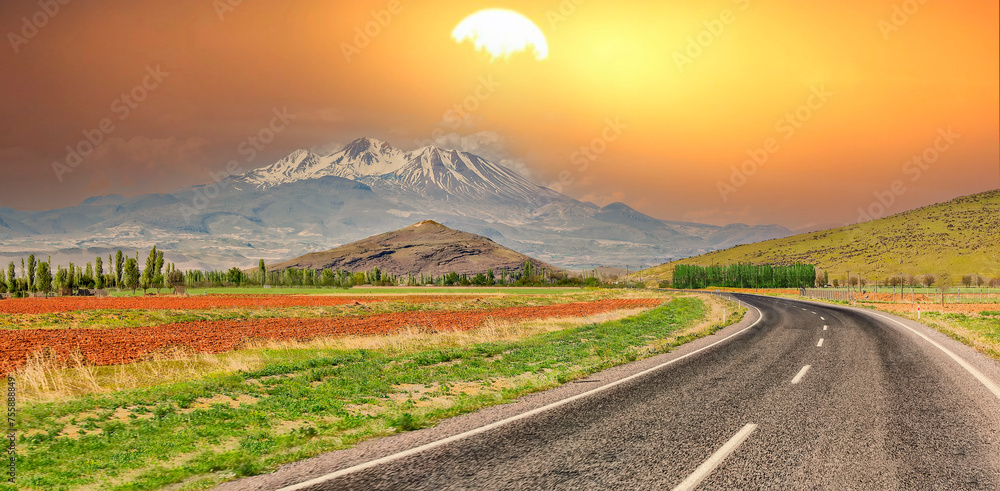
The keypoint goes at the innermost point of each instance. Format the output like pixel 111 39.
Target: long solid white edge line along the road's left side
pixel 483 429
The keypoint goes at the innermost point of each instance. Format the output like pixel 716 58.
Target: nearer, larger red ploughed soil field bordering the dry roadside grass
pixel 128 345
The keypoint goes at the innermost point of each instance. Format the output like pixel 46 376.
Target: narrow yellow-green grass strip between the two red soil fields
pixel 118 318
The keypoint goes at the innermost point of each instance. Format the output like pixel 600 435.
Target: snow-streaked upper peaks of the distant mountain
pixel 426 172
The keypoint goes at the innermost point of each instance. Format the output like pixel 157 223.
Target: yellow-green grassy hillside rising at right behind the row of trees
pixel 955 238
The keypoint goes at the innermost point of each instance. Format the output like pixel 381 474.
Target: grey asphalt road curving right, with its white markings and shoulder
pixel 809 396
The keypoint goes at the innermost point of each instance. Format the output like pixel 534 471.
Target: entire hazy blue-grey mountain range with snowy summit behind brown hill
pixel 307 202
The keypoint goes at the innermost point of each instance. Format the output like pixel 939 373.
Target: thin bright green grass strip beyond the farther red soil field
pixel 361 290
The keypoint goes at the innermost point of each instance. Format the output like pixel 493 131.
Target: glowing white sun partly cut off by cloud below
pixel 502 33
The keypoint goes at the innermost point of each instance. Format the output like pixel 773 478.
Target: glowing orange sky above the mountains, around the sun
pixel 890 84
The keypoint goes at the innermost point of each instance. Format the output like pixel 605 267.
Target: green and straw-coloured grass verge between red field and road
pixel 296 402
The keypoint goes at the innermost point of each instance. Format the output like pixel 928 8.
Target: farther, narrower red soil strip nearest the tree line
pixel 204 302
